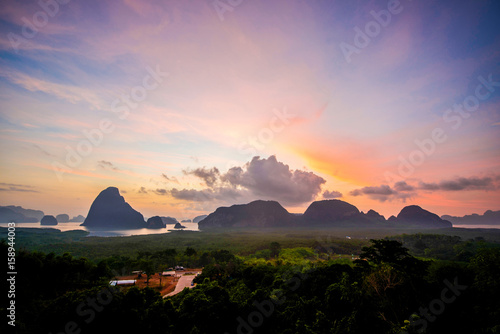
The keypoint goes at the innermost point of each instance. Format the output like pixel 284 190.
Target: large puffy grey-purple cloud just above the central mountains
pixel 266 179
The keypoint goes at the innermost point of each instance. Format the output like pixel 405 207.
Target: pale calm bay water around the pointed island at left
pixel 63 227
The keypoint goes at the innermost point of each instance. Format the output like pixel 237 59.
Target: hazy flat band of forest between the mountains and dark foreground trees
pixel 238 241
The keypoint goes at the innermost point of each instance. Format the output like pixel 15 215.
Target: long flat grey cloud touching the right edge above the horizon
pixel 461 183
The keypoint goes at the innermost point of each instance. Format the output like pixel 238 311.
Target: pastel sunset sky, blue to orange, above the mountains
pixel 186 106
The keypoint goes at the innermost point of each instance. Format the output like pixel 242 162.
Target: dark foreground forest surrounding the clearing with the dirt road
pixel 413 283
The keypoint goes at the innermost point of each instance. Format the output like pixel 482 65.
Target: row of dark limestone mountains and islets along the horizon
pixel 110 210
